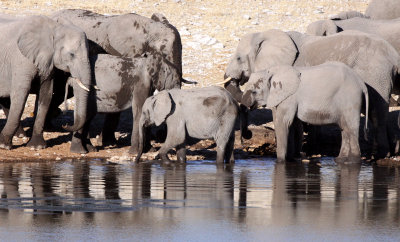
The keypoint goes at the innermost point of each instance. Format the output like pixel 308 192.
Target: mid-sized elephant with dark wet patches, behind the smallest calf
pixel 123 83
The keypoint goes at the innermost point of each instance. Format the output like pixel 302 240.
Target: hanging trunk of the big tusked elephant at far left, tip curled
pixel 82 83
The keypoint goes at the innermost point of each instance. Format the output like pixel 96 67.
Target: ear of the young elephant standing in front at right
pixel 283 82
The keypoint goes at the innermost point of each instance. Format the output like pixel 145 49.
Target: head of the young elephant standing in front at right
pixel 270 88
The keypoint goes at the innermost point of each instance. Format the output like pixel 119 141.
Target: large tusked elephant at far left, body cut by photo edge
pixel 31 49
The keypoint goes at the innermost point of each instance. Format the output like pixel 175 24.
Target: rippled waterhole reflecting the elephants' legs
pixel 252 200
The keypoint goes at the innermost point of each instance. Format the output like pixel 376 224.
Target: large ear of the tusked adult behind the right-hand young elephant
pixel 271 48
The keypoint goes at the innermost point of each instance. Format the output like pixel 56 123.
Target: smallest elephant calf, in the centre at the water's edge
pixel 201 113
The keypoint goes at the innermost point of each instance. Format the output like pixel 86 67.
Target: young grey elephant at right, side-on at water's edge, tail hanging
pixel 330 93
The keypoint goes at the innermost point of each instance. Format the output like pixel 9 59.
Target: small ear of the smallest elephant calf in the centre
pixel 162 107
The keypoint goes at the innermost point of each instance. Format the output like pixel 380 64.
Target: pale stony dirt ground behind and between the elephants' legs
pixel 210 32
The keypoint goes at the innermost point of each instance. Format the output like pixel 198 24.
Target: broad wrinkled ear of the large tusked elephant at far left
pixel 36 42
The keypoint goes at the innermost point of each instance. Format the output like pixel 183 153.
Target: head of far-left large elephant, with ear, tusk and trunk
pixel 50 45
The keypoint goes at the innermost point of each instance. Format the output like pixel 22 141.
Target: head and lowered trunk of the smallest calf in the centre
pixel 155 110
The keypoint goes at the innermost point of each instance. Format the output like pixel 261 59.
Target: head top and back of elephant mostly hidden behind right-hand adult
pixel 387 29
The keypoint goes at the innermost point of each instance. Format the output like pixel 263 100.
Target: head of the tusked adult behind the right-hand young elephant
pixel 257 52
